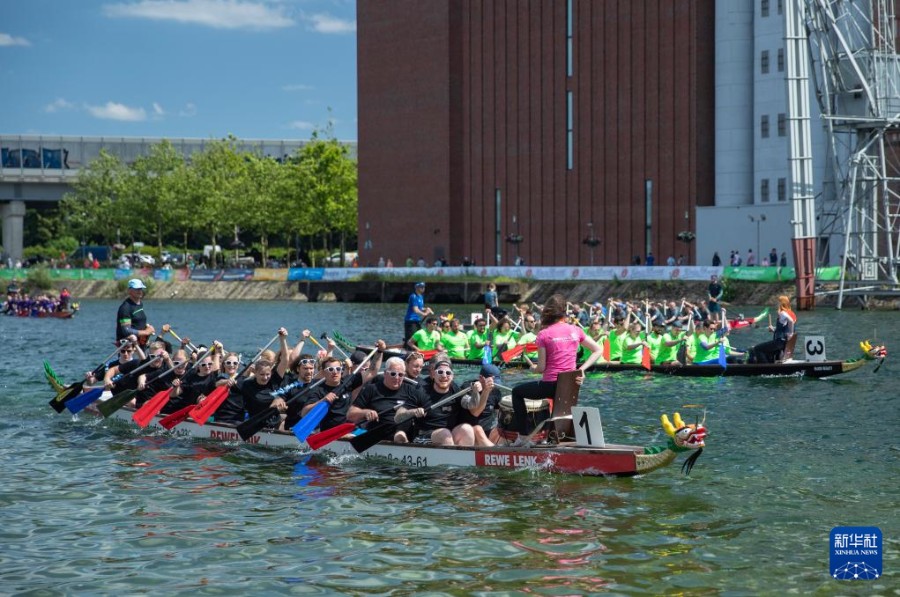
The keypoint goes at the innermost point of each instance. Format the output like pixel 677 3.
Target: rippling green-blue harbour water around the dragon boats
pixel 93 509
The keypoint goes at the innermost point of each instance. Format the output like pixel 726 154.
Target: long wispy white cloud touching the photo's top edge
pixel 218 14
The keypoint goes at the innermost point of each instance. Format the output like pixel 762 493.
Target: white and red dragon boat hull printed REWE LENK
pixel 611 460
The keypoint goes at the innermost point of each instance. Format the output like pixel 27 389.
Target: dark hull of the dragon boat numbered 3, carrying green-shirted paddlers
pixel 815 369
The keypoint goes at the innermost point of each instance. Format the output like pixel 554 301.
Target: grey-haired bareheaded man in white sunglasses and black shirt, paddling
pixel 379 400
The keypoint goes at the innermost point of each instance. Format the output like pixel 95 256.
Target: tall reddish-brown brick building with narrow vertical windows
pixel 553 114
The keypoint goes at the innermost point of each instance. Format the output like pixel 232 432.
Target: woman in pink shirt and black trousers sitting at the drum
pixel 557 344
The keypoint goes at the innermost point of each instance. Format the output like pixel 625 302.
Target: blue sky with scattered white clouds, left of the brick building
pixel 260 69
